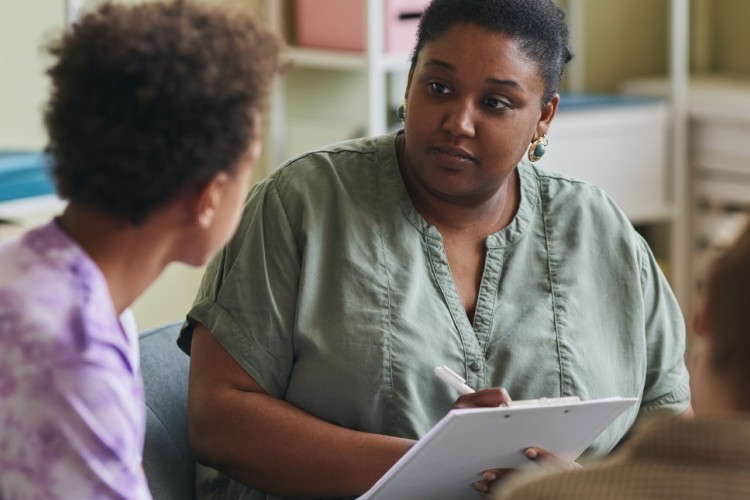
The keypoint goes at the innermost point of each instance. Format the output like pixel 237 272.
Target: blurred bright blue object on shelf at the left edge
pixel 24 174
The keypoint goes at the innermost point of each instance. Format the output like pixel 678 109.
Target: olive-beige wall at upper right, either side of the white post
pixel 630 38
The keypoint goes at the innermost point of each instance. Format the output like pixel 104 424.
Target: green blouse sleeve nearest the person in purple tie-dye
pixel 248 295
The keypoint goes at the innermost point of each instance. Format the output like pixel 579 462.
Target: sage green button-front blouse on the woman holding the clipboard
pixel 336 296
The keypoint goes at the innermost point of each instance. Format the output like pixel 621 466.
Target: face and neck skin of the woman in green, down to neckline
pixel 469 120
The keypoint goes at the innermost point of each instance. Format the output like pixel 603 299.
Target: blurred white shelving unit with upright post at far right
pixel 712 127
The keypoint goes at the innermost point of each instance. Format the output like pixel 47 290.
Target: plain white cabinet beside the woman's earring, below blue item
pixel 621 146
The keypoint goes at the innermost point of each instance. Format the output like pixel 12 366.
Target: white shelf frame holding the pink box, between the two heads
pixel 377 66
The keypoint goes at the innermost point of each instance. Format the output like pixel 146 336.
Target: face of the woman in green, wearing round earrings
pixel 473 107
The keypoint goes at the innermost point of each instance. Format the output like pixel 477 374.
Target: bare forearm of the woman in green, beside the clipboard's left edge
pixel 271 445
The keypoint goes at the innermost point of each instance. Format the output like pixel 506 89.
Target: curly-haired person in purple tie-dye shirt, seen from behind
pixel 153 126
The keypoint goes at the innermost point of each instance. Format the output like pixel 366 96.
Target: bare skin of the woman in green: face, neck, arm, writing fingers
pixel 458 158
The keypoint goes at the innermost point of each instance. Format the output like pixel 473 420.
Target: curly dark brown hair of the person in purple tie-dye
pixel 150 101
